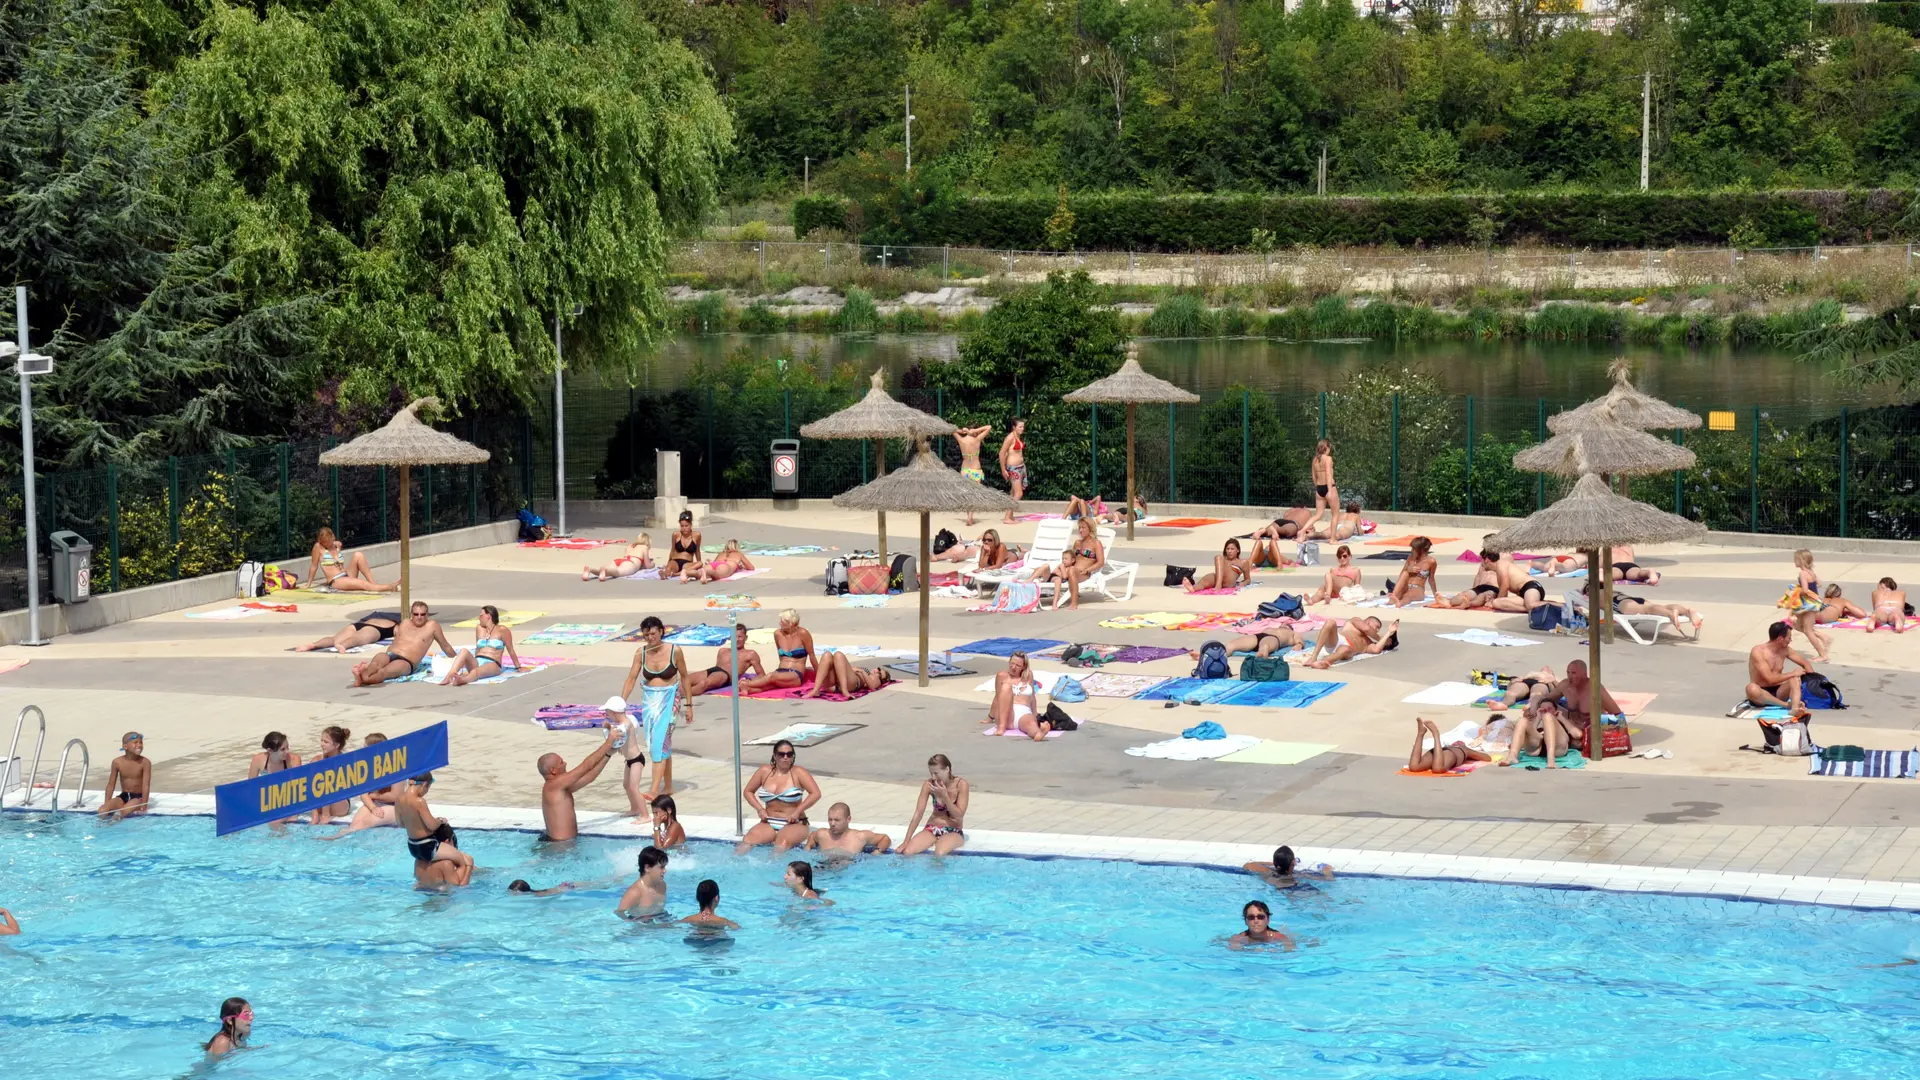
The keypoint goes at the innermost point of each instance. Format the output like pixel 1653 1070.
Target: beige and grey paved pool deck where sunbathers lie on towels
pixel 206 691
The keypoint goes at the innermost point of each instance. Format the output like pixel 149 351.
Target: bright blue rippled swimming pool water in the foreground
pixel 957 971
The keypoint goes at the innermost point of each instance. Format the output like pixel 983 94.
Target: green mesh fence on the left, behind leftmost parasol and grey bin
pixel 176 518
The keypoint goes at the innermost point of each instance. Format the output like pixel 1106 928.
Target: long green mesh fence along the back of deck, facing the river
pixel 1794 470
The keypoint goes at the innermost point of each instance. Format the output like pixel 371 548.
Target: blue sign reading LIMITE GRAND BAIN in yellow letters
pixel 291 793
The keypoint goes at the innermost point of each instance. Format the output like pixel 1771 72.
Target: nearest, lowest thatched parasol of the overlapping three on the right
pixel 1595 520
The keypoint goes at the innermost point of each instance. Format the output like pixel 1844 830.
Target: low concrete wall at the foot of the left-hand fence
pixel 130 604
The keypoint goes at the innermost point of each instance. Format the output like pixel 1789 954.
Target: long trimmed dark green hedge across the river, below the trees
pixel 1145 222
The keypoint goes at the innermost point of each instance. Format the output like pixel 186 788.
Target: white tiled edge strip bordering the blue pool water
pixel 1858 895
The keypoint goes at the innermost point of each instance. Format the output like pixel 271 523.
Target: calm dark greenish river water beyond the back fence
pixel 1717 376
